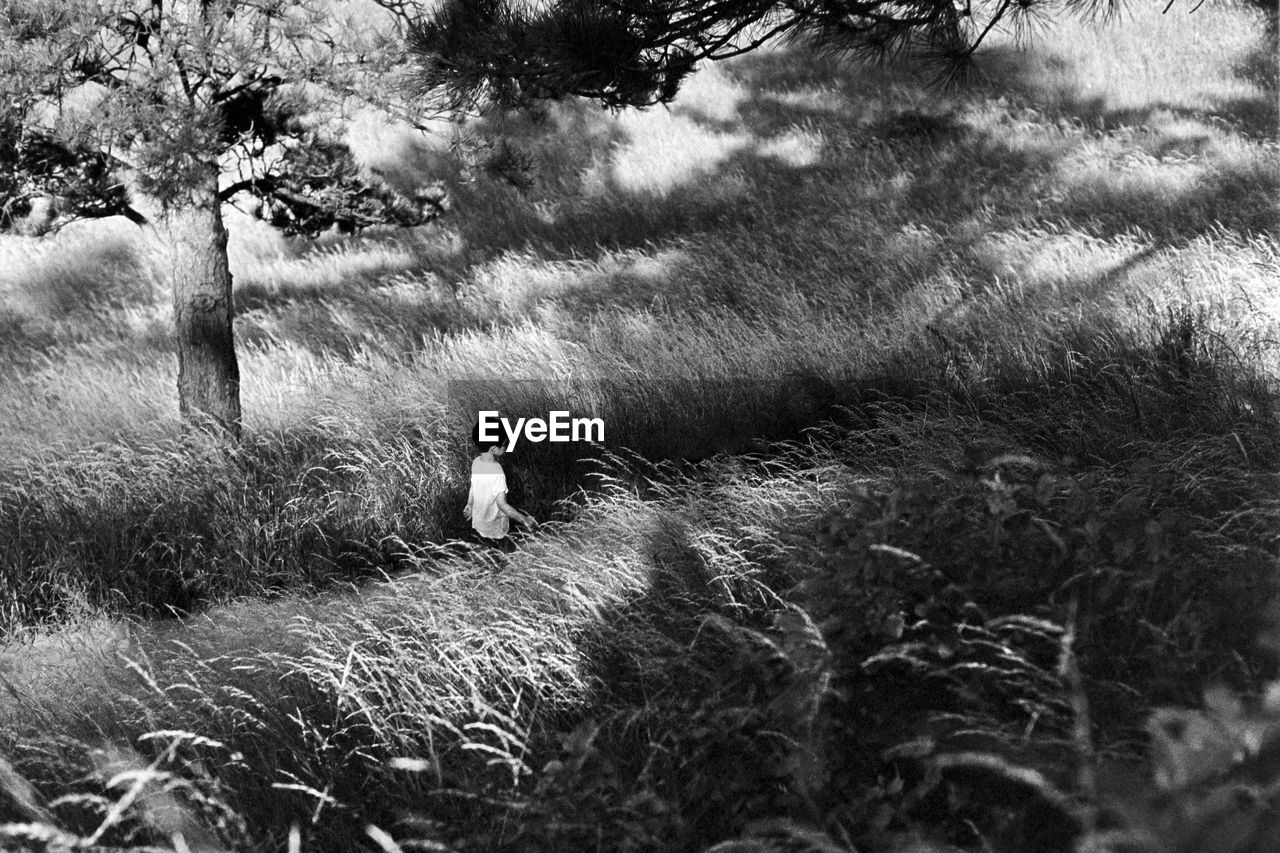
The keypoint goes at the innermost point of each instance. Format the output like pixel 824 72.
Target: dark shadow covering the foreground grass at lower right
pixel 697 704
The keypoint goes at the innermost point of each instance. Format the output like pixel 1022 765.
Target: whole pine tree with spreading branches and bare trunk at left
pixel 164 111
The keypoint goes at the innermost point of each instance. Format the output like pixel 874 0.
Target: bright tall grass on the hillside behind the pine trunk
pixel 817 191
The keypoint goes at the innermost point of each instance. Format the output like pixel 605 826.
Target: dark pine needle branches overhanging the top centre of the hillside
pixel 637 53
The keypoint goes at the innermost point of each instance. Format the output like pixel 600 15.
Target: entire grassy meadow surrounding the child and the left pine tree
pixel 938 509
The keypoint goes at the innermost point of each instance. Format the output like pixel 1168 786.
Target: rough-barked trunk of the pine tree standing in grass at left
pixel 194 263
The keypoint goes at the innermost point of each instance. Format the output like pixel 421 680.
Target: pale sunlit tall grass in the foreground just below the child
pixel 461 670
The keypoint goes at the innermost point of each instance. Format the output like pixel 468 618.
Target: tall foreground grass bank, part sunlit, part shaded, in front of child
pixel 644 667
